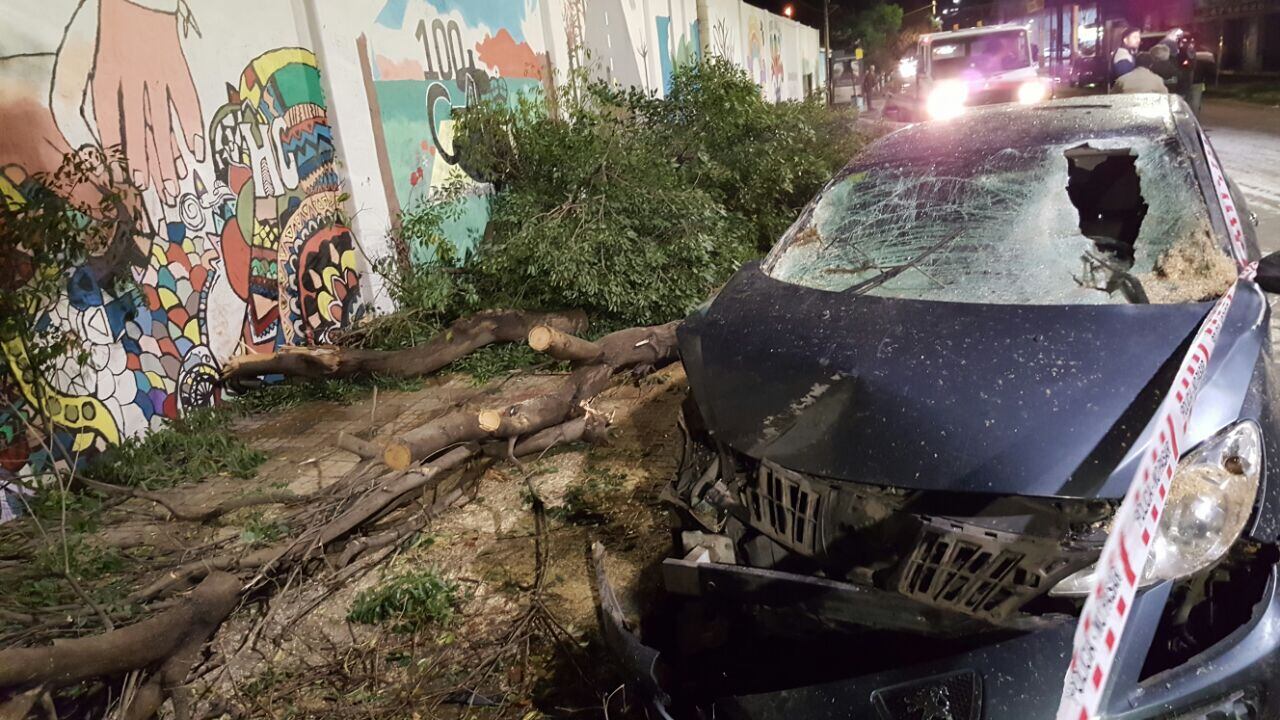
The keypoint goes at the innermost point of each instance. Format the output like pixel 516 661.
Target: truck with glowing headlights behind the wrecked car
pixel 967 69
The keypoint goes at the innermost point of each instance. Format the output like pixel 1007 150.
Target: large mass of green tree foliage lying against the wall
pixel 636 208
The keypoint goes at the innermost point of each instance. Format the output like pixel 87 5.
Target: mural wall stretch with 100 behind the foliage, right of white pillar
pixel 429 58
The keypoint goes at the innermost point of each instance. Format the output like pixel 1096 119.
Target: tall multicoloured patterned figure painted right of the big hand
pixel 291 258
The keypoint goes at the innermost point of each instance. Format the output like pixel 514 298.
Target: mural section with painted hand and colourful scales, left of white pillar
pixel 240 244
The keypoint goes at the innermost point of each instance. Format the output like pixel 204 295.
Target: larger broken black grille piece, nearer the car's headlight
pixel 980 573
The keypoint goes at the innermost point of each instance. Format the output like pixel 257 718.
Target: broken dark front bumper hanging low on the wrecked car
pixel 1018 676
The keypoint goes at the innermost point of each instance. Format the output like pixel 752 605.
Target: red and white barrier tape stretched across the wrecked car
pixel 1128 546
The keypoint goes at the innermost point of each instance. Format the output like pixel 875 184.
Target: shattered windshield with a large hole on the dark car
pixel 1112 222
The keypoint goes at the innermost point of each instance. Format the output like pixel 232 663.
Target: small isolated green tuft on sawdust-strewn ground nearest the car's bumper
pixel 409 603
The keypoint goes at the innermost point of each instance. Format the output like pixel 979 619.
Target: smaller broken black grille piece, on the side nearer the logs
pixel 787 507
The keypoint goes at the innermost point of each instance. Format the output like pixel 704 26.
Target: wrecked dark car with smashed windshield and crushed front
pixel 911 426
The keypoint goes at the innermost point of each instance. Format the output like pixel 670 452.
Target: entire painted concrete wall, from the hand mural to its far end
pixel 259 172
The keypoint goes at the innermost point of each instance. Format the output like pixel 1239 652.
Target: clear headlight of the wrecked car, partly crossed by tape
pixel 1210 500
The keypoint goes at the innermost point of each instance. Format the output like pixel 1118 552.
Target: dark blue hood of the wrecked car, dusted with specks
pixel 1003 399
